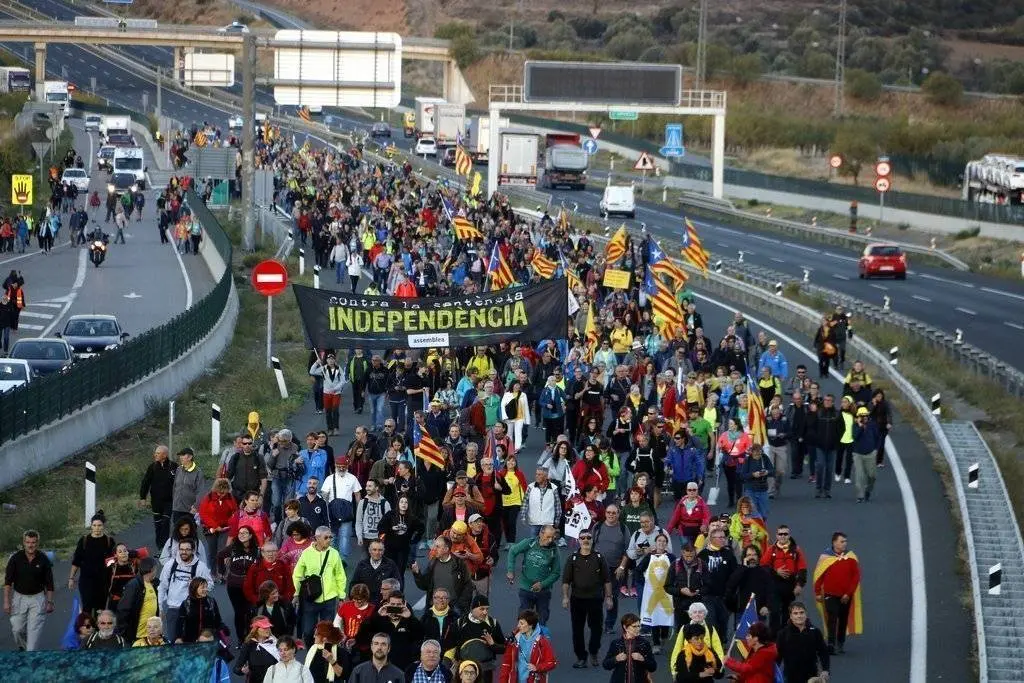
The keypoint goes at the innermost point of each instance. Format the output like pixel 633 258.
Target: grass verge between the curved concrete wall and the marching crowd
pixel 54 502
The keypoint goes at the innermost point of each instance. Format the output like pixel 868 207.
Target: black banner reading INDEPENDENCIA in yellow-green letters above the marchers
pixel 530 314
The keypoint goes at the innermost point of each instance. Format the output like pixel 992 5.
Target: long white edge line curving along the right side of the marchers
pixel 919 593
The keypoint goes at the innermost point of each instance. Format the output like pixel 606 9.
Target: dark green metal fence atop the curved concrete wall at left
pixel 48 400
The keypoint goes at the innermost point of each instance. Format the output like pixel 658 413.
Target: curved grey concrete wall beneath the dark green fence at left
pixel 41 450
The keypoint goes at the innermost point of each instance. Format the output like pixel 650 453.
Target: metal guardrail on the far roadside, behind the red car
pixel 709 208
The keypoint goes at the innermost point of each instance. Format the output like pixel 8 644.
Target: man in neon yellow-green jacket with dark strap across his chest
pixel 319 564
